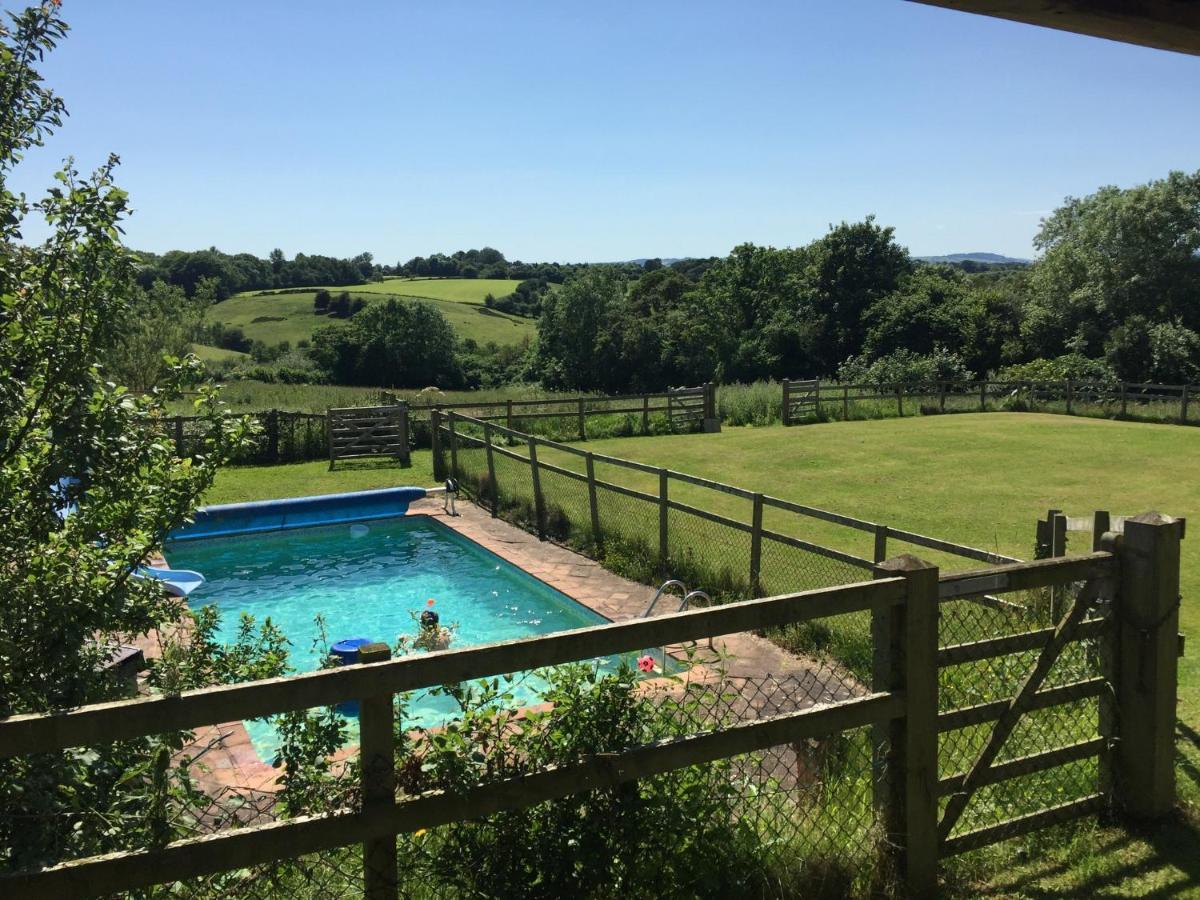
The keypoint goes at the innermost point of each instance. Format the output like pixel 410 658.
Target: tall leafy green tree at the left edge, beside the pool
pixel 89 485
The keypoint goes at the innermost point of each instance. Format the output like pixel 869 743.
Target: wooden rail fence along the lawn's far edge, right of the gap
pixel 806 400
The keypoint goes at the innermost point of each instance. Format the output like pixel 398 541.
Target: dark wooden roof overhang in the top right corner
pixel 1163 25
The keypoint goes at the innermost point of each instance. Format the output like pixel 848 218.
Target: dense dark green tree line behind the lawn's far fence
pixel 1115 295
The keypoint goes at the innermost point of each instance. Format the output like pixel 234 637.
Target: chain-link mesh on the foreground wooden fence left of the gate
pixel 790 820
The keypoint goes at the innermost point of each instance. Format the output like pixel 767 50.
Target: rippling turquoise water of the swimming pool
pixel 369 580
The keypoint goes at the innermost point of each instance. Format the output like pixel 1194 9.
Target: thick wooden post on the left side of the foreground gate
pixel 905 749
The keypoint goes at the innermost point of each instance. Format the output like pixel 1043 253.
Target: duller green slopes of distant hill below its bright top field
pixel 274 319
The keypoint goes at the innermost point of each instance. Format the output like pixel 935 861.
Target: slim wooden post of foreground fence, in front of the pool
pixel 377 759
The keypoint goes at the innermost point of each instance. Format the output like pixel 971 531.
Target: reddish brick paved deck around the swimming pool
pixel 229 761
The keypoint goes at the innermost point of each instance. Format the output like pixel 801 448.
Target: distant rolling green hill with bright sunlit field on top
pixel 273 319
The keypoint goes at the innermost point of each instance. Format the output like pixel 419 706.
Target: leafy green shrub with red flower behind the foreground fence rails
pixel 673 831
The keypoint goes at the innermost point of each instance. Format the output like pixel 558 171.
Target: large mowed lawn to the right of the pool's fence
pixel 977 479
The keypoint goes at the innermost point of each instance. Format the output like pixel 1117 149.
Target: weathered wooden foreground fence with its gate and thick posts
pixel 1137 575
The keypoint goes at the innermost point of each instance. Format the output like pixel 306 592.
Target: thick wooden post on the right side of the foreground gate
pixel 1148 621
